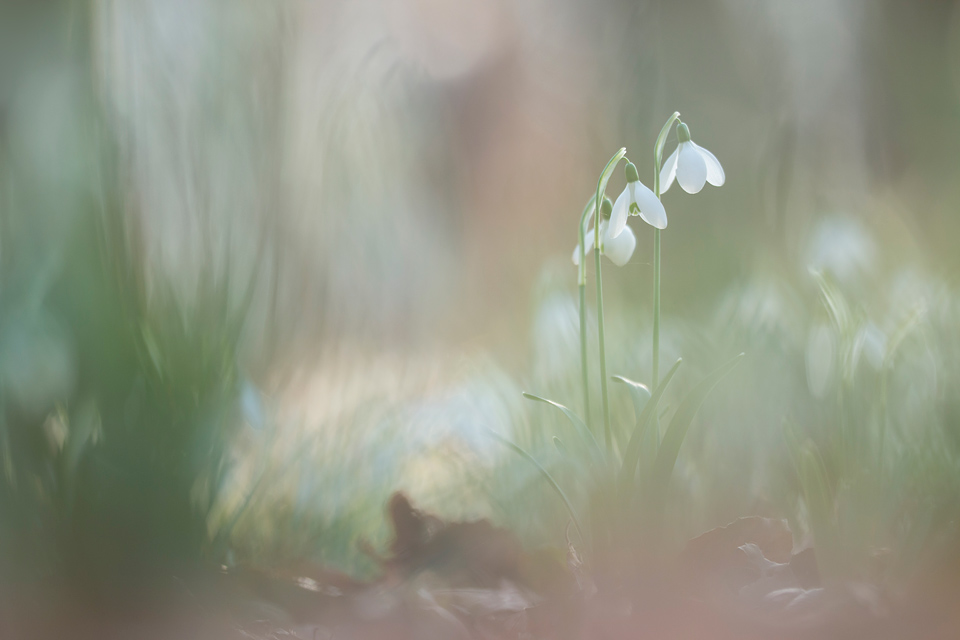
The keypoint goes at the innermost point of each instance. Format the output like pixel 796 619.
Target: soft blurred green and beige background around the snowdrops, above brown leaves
pixel 262 263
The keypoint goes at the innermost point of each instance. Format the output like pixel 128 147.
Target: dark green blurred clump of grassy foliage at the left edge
pixel 118 466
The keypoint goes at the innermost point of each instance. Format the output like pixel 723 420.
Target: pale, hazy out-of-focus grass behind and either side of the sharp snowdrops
pixel 840 420
